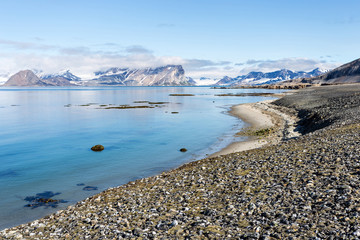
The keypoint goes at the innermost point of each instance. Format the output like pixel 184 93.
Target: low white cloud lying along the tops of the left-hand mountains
pixel 79 63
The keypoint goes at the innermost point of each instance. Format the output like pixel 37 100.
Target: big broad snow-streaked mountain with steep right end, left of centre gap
pixel 170 75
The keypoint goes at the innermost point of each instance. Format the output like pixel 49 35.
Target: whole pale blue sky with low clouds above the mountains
pixel 209 38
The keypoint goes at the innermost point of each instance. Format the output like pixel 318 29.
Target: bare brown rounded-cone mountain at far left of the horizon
pixel 25 78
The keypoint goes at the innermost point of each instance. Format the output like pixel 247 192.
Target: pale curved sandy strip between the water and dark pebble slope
pixel 259 116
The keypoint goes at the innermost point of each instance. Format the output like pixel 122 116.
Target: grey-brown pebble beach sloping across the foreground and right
pixel 303 187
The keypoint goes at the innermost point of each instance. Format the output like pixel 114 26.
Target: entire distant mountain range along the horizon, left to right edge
pixel 174 75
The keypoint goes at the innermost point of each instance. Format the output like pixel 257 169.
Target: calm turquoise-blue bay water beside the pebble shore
pixel 45 143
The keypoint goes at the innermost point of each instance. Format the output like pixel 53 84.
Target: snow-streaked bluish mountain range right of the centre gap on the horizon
pixel 259 78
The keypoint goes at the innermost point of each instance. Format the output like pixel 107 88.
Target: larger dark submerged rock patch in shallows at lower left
pixel 43 199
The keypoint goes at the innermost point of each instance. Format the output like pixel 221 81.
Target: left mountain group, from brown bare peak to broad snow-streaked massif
pixel 170 75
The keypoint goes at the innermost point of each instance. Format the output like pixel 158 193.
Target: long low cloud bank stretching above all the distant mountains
pixel 84 60
